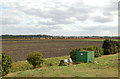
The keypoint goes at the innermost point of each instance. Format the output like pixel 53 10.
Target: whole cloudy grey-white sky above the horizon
pixel 59 17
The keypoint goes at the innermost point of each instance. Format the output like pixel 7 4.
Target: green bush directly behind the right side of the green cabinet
pixel 98 51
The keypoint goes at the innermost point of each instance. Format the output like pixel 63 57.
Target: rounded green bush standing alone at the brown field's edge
pixel 35 58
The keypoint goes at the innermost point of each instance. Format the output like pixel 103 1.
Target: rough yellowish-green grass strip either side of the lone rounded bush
pixel 24 65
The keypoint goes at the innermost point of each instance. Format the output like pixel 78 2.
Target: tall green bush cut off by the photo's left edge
pixel 6 64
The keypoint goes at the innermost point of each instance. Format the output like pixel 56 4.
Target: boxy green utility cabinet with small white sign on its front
pixel 85 56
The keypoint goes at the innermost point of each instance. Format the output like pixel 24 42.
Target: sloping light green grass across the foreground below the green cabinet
pixel 106 66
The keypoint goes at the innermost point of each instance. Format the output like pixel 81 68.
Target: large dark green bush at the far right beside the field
pixel 110 47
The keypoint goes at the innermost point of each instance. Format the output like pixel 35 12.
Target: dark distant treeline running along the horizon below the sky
pixel 49 36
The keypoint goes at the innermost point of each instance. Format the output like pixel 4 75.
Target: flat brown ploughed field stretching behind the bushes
pixel 18 49
